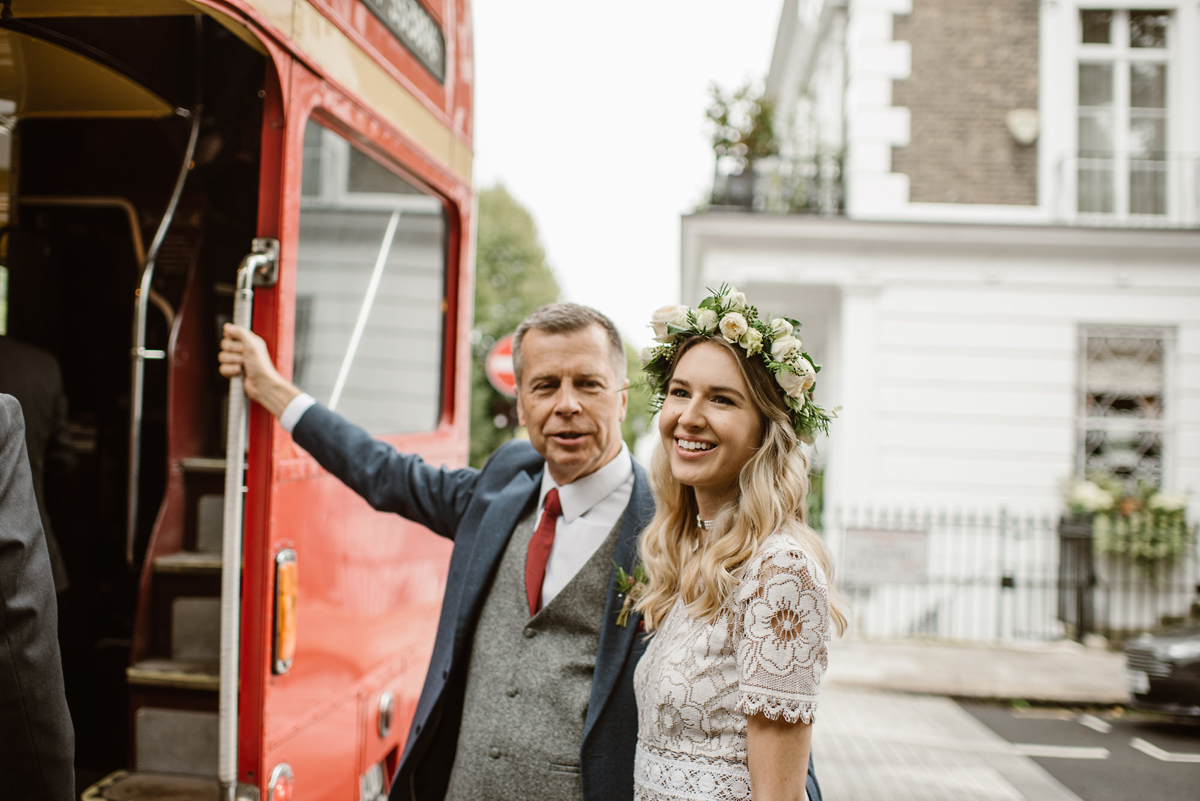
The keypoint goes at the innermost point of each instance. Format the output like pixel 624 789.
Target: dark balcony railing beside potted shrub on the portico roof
pixel 782 185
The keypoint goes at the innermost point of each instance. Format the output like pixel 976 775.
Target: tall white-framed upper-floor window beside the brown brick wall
pixel 1123 121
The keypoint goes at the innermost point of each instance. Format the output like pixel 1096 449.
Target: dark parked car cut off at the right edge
pixel 1165 672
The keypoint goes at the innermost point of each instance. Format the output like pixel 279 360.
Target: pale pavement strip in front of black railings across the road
pixel 1055 673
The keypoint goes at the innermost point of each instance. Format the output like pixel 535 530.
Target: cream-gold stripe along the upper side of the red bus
pixel 346 63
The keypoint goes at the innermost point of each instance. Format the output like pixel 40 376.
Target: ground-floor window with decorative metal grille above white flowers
pixel 1123 424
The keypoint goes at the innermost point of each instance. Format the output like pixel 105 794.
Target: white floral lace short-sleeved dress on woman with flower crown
pixel 698 682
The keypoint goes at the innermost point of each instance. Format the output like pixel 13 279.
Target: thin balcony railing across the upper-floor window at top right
pixel 1129 190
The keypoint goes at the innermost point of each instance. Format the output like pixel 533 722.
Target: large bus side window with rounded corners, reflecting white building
pixel 370 290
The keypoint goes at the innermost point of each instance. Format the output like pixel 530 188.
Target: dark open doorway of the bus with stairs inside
pixel 100 113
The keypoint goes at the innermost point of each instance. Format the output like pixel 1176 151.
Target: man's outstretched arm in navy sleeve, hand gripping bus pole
pixel 388 480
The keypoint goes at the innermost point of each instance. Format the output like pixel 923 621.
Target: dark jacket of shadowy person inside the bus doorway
pixel 33 377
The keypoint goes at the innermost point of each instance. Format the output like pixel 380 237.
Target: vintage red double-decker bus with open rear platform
pixel 152 146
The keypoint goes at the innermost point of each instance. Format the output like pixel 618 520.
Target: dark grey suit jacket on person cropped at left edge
pixel 37 739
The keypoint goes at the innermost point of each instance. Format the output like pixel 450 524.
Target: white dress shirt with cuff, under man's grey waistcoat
pixel 592 505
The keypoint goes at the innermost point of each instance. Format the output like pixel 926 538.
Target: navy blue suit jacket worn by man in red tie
pixel 478 510
